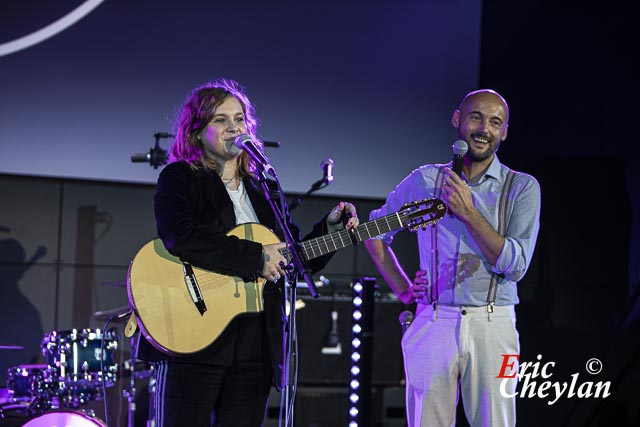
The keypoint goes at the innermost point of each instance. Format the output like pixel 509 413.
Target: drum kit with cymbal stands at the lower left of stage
pixel 80 365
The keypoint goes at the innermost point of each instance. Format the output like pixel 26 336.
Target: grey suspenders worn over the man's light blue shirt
pixel 502 221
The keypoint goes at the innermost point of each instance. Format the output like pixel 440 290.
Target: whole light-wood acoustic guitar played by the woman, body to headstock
pixel 182 309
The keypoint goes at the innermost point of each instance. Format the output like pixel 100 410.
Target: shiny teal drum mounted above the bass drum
pixel 74 356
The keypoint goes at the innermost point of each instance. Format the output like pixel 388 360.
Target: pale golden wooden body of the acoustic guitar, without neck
pixel 165 311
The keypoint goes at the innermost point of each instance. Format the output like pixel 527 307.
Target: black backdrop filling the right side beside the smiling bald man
pixel 568 72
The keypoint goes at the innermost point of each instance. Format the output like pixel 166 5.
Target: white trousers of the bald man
pixel 462 348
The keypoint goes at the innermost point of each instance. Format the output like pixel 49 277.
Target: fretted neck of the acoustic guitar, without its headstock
pixel 314 248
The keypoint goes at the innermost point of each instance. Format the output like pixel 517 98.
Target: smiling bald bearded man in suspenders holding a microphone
pixel 470 263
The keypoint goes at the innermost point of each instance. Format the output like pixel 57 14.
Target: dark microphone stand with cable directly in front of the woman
pixel 299 268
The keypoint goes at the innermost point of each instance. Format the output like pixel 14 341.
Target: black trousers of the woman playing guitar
pixel 232 393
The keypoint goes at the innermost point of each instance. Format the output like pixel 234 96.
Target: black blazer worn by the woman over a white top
pixel 193 214
